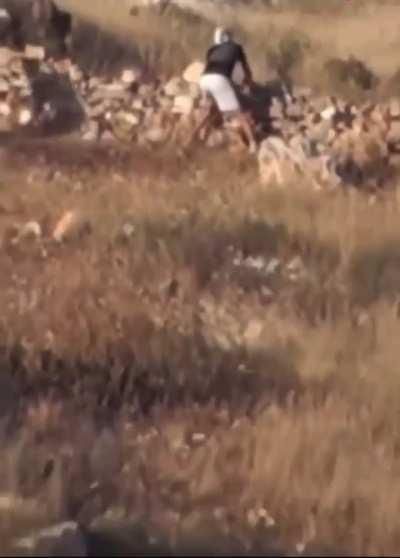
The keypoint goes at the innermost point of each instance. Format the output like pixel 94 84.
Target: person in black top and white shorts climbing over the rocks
pixel 216 82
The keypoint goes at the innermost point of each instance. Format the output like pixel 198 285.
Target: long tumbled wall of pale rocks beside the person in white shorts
pixel 323 138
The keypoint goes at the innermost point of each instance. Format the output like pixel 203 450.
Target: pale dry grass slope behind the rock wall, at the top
pixel 368 31
